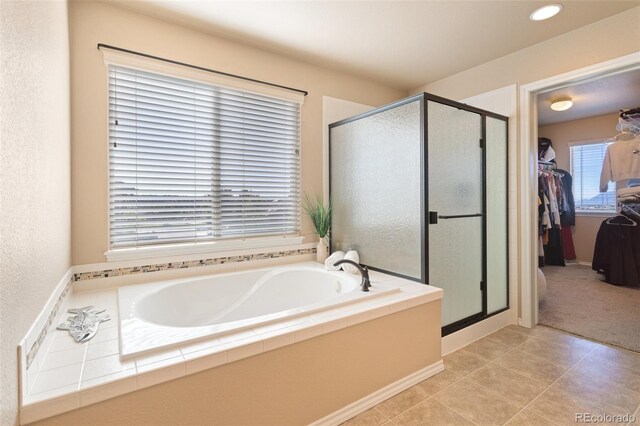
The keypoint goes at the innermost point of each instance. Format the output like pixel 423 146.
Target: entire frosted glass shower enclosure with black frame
pixel 419 189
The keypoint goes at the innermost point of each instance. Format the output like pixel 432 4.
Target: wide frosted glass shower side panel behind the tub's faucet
pixel 376 188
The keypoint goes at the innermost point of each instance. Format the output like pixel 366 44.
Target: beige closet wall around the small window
pixel 600 127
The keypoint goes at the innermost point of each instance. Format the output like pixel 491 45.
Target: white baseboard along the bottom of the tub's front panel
pixel 380 395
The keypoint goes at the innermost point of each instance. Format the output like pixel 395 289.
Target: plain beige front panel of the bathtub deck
pixel 293 385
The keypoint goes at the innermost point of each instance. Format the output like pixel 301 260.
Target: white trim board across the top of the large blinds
pixel 153 65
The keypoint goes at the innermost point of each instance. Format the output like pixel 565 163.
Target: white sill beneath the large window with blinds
pixel 196 248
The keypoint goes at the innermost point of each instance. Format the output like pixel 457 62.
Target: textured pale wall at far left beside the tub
pixel 34 173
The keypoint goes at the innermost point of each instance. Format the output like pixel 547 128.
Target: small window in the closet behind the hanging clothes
pixel 586 165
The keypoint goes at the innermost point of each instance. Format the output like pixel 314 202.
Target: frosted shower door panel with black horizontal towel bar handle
pixel 456 208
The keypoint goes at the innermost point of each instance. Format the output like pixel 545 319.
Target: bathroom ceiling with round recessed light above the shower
pixel 404 44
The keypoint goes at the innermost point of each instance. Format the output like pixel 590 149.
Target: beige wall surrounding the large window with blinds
pixel 96 22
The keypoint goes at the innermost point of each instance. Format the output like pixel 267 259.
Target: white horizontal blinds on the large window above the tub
pixel 193 162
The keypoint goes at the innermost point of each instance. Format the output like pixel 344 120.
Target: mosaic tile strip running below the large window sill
pixel 188 264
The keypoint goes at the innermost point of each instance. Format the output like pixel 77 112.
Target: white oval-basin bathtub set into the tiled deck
pixel 166 313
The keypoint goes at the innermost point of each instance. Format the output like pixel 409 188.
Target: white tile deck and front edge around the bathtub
pixel 74 375
